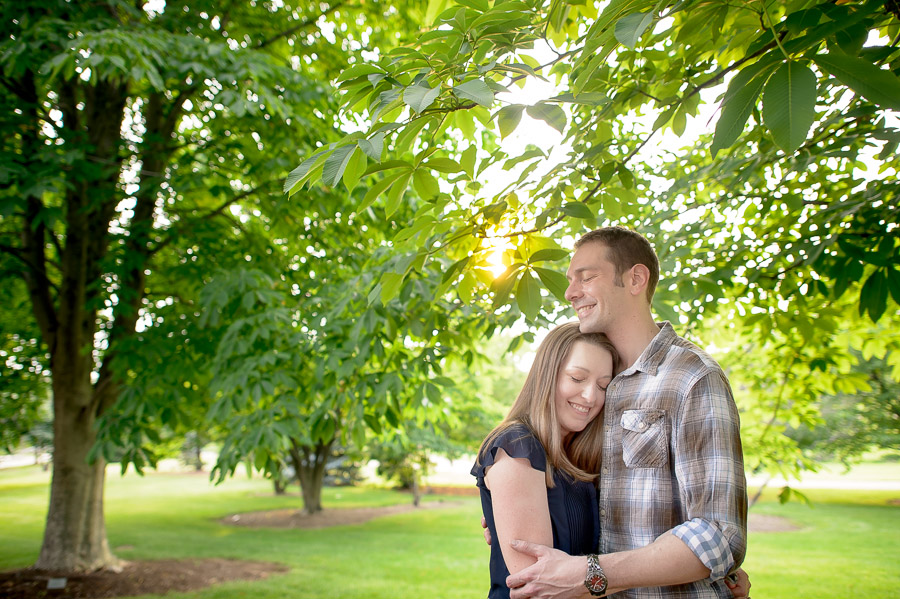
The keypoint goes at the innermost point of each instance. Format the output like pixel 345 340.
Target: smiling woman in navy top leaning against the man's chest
pixel 537 469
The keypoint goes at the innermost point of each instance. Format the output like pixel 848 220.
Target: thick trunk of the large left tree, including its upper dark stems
pixel 75 535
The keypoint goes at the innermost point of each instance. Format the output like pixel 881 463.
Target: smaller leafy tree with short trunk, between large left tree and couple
pixel 310 361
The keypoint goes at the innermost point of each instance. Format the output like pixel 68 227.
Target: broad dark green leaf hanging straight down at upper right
pixel 789 105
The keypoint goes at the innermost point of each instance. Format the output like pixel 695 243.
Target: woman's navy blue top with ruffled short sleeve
pixel 573 504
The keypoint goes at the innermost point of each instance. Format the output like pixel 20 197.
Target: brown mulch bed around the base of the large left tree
pixel 136 578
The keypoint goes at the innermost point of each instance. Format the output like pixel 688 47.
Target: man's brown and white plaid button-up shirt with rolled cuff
pixel 672 463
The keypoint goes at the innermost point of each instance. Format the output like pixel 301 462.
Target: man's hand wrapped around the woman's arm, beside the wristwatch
pixel 556 575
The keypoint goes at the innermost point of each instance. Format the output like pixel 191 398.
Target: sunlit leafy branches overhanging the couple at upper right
pixel 776 219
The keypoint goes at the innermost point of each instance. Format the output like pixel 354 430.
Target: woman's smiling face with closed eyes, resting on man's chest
pixel 581 386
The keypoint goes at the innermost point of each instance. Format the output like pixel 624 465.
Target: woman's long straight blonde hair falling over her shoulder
pixel 579 455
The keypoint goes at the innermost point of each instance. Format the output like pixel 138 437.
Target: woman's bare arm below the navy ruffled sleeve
pixel 519 498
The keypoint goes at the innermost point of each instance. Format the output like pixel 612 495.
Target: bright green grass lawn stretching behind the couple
pixel 847 545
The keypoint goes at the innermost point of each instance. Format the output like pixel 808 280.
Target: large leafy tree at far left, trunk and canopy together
pixel 135 143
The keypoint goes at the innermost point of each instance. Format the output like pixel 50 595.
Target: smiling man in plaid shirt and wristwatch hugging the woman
pixel 672 497
